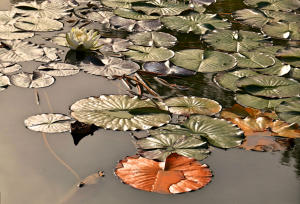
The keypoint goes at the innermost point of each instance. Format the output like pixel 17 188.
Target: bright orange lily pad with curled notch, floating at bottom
pixel 178 174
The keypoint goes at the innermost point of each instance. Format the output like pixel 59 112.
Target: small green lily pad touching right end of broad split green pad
pixel 254 60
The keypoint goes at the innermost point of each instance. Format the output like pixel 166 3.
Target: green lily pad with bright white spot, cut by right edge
pixel 283 30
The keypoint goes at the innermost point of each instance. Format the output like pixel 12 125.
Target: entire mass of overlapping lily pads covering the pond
pixel 180 129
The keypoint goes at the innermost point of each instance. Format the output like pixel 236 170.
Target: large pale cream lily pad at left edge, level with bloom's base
pixel 20 51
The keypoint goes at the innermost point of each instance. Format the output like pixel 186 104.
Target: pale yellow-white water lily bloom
pixel 80 39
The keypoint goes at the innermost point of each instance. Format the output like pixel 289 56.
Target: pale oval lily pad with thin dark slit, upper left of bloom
pixel 38 24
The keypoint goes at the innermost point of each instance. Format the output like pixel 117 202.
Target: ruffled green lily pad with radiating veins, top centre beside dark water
pixel 196 23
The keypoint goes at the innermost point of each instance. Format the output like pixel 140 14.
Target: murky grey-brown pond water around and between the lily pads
pixel 30 174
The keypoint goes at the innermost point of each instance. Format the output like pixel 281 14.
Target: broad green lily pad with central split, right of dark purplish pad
pixel 203 60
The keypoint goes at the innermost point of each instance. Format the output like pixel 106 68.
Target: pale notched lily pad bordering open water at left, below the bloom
pixel 35 80
